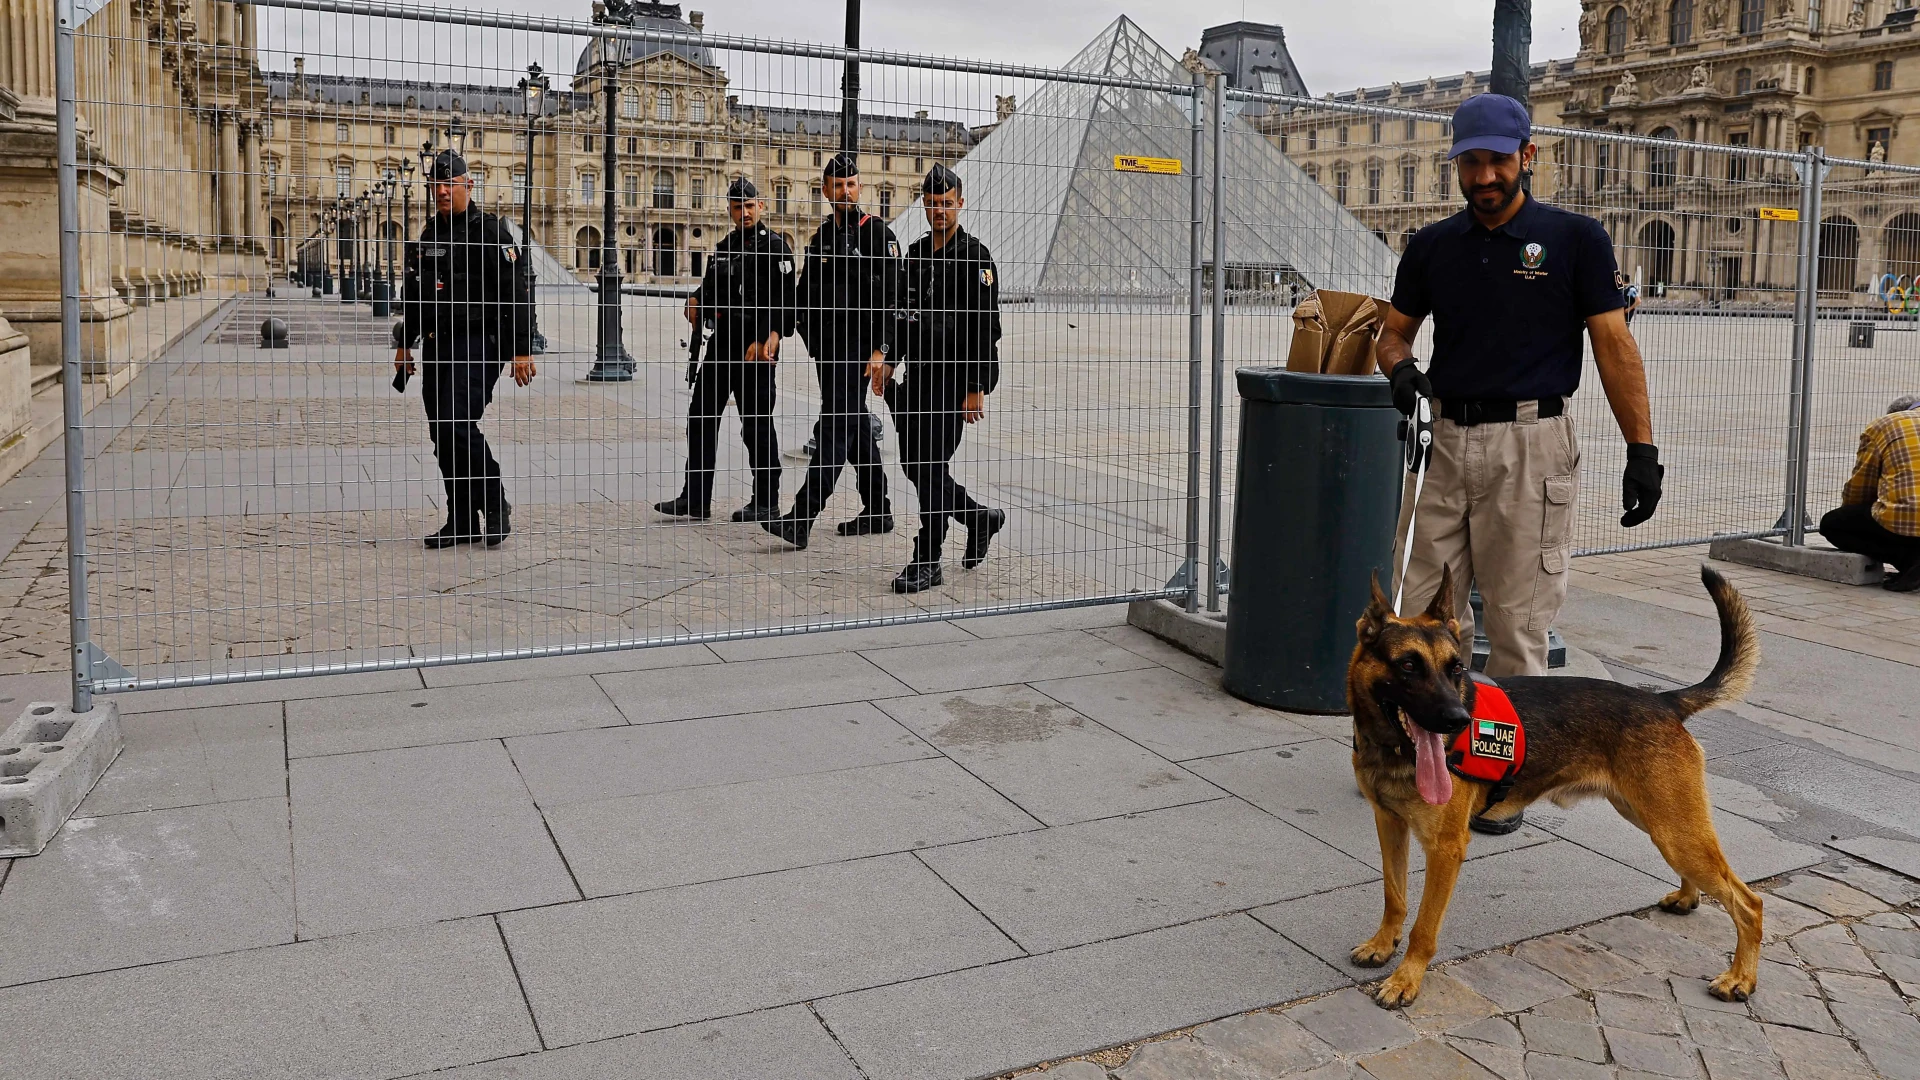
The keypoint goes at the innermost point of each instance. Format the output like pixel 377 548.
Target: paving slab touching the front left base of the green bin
pixel 1174 716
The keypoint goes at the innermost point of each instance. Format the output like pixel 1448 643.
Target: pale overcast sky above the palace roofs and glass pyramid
pixel 1339 45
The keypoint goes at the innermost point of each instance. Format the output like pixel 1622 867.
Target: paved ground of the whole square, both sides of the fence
pixel 942 850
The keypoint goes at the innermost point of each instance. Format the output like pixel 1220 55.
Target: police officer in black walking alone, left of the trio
pixel 469 297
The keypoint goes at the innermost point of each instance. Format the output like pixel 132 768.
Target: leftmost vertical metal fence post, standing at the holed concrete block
pixel 70 353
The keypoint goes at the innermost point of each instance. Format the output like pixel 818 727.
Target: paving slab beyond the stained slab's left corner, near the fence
pixel 750 687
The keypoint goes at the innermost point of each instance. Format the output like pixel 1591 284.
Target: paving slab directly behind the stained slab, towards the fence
pixel 996 662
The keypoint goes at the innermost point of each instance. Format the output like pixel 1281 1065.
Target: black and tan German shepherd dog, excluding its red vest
pixel 1585 737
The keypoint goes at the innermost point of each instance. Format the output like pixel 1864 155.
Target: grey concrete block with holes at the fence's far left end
pixel 49 760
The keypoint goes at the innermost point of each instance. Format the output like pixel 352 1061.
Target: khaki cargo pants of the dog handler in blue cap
pixel 1499 508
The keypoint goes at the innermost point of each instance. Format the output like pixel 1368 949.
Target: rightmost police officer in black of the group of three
pixel 951 349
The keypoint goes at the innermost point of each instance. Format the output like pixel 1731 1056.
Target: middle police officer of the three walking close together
pixel 848 310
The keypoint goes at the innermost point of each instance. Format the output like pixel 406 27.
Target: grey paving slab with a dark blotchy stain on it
pixel 1053 762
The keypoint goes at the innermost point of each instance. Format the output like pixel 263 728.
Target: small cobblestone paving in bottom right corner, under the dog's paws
pixel 1620 1000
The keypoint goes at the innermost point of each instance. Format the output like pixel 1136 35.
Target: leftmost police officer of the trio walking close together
pixel 748 297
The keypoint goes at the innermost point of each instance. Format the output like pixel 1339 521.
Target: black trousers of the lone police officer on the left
pixel 458 385
